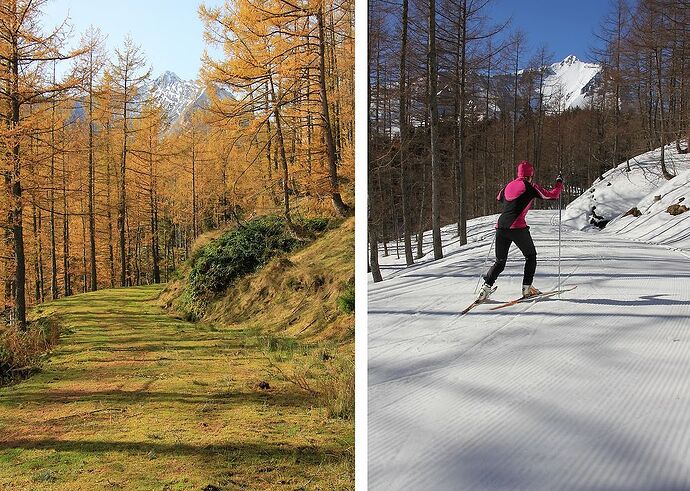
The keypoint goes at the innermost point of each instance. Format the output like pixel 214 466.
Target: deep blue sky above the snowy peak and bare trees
pixel 566 27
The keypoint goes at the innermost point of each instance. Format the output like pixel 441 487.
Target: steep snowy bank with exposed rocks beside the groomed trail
pixel 620 190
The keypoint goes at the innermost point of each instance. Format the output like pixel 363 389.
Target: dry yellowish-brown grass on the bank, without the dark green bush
pixel 294 295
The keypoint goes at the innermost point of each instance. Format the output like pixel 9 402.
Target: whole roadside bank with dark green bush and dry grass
pixel 261 274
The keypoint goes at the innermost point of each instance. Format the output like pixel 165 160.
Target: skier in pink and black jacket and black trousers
pixel 511 227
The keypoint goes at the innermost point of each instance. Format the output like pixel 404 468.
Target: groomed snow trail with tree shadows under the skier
pixel 587 392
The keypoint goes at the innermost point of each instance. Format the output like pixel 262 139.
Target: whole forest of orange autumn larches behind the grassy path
pixel 103 190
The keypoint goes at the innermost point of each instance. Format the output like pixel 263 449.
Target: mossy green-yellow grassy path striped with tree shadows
pixel 134 399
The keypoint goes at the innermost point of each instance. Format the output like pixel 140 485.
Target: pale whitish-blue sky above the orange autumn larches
pixel 169 32
